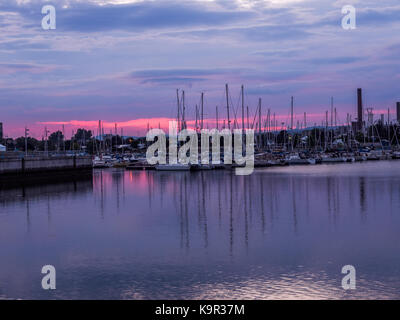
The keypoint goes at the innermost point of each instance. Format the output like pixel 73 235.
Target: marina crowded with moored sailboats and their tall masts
pixel 274 144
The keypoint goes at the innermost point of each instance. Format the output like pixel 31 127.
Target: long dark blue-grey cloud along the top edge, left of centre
pixel 137 17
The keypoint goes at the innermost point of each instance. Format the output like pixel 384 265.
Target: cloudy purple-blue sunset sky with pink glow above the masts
pixel 121 61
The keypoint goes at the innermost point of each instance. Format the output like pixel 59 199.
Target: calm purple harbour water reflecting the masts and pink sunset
pixel 280 233
